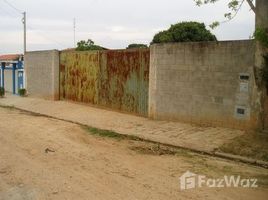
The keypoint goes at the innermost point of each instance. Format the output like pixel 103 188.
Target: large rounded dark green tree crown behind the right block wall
pixel 185 32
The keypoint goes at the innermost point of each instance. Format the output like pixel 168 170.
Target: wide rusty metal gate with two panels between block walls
pixel 117 79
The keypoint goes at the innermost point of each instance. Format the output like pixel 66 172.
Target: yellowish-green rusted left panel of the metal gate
pixel 81 73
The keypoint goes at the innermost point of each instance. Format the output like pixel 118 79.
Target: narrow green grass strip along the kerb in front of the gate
pixel 109 134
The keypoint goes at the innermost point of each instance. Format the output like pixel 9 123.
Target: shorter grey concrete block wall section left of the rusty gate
pixel 42 74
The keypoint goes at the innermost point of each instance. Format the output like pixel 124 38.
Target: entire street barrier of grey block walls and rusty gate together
pixel 208 83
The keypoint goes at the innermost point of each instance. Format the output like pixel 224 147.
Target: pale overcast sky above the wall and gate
pixel 110 23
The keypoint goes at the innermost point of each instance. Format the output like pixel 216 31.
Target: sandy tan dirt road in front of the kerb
pixel 43 158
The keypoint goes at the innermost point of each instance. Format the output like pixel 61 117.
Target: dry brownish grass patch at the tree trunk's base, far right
pixel 251 144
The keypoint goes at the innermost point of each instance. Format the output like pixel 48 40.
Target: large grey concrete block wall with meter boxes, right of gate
pixel 208 83
